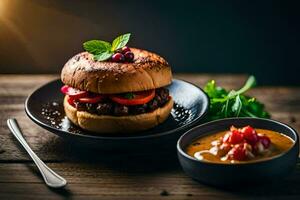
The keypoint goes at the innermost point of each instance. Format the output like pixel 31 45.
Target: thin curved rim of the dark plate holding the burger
pixel 55 130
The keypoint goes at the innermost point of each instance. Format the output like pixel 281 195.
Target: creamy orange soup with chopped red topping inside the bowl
pixel 239 145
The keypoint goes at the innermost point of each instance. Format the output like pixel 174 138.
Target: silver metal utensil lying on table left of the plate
pixel 52 179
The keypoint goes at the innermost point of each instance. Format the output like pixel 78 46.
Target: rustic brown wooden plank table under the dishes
pixel 92 175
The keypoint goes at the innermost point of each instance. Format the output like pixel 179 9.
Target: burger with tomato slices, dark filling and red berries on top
pixel 118 94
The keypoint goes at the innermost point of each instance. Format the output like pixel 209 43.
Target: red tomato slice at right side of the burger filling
pixel 138 98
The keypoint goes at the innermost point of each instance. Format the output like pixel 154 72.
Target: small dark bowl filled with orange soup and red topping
pixel 237 151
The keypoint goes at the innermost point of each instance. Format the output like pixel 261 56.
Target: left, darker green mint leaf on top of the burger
pixel 96 46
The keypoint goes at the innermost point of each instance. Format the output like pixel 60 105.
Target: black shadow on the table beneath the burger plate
pixel 149 160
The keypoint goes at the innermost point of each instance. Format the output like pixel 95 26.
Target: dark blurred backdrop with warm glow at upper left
pixel 253 37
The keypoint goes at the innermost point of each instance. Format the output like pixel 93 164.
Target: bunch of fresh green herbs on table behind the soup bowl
pixel 225 104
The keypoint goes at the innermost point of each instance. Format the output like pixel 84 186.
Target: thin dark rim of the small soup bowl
pixel 182 152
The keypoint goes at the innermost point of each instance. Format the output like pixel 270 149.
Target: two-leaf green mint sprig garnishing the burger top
pixel 103 50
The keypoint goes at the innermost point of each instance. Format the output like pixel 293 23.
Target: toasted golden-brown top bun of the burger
pixel 147 71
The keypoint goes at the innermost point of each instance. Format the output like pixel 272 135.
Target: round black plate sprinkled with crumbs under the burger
pixel 45 107
